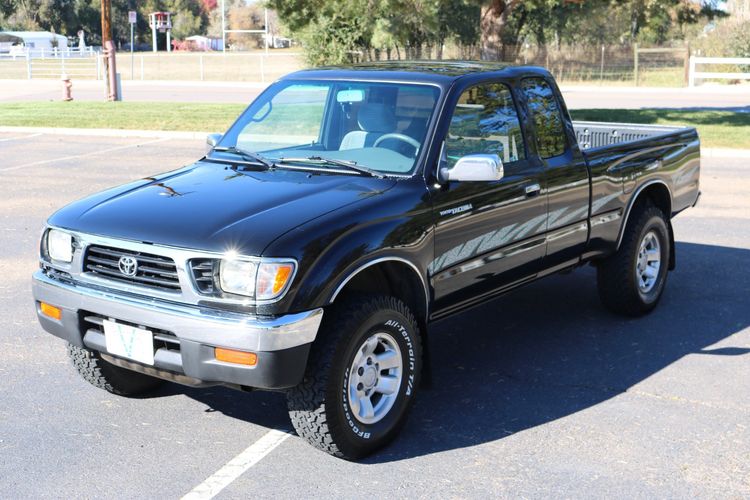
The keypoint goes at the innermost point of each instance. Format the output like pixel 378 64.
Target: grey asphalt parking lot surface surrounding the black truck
pixel 539 393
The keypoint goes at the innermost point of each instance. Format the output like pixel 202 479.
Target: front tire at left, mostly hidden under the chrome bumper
pixel 109 377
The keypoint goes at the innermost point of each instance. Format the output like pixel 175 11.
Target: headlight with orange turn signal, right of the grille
pixel 261 280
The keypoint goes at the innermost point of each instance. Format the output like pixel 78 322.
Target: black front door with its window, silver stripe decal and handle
pixel 488 234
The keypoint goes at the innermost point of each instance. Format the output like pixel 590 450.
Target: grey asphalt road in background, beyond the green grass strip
pixel 731 97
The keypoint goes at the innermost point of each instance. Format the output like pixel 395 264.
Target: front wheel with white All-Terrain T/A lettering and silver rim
pixel 361 377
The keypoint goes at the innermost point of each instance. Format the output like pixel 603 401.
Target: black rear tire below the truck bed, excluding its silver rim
pixel 617 277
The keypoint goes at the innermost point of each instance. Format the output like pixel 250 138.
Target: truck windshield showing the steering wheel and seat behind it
pixel 378 126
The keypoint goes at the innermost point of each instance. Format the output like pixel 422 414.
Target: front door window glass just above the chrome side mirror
pixel 485 121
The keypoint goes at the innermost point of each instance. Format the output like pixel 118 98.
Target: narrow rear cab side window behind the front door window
pixel 548 122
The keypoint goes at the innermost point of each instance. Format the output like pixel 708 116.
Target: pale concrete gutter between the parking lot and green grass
pixel 201 136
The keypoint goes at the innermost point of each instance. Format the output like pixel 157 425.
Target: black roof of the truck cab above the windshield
pixel 440 72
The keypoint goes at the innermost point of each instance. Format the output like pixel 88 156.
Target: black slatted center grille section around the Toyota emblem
pixel 153 271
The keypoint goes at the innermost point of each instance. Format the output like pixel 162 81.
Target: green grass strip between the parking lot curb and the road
pixel 724 129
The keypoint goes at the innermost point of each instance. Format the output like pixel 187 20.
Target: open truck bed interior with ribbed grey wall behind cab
pixel 594 135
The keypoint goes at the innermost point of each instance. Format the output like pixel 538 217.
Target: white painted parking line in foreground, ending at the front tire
pixel 238 466
